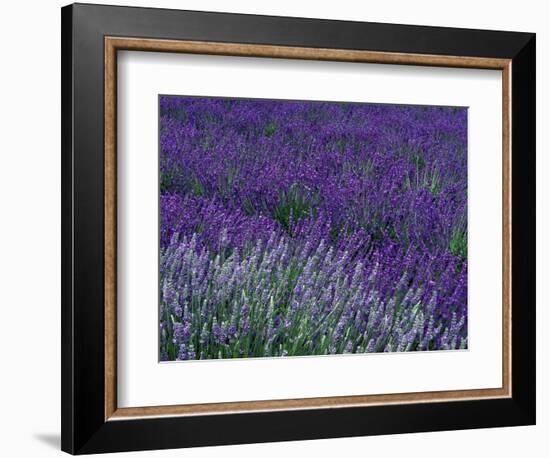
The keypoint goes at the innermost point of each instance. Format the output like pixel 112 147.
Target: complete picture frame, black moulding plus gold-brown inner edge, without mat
pixel 91 419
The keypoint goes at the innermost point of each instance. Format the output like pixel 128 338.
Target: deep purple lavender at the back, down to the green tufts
pixel 393 171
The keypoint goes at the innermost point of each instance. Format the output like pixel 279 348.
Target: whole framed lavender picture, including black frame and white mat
pixel 281 228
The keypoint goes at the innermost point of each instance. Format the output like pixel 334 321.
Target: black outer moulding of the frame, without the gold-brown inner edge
pixel 83 425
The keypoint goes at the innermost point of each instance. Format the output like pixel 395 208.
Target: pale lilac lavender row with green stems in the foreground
pixel 283 298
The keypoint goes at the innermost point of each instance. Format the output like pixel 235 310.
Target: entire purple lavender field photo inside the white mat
pixel 292 228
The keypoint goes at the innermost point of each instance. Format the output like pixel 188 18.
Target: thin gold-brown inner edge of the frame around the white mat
pixel 114 44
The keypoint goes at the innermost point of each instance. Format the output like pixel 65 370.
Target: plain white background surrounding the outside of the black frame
pixel 30 227
